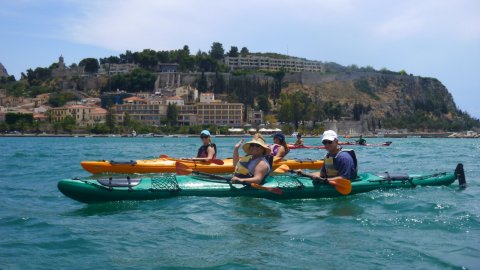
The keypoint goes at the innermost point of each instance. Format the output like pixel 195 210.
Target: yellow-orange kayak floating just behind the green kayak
pixel 166 165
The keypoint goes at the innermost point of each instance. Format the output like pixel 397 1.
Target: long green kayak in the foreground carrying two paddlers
pixel 97 189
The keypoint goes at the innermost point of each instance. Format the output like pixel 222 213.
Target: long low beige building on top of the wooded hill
pixel 269 63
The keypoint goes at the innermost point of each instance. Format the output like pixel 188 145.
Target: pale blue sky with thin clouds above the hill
pixel 428 38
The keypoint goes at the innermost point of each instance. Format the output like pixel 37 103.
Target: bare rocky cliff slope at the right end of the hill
pixel 388 95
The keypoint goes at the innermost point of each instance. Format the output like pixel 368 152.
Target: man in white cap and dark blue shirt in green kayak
pixel 337 163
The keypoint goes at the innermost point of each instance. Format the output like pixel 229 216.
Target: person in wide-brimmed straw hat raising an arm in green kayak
pixel 254 167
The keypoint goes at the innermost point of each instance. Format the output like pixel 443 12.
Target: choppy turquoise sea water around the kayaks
pixel 421 228
